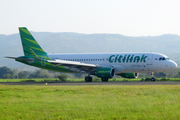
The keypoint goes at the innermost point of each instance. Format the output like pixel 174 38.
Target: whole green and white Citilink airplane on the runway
pixel 102 65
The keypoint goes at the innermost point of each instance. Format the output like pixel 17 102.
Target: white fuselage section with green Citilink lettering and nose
pixel 123 62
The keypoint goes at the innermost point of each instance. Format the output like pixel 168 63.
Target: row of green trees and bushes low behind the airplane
pixel 8 73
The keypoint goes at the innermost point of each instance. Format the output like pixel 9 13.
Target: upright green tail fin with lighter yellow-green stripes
pixel 28 42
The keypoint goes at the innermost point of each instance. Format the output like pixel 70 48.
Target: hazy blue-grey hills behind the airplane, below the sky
pixel 89 43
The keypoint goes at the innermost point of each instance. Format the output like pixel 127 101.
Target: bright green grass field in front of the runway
pixel 90 102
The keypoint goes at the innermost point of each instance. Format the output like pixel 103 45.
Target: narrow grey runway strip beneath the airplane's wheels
pixel 93 83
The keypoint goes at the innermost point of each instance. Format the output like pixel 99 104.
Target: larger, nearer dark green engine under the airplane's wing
pixel 105 72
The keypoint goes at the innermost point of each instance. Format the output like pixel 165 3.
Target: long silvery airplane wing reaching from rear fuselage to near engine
pixel 77 66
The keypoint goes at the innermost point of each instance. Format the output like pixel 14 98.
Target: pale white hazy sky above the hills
pixel 125 17
